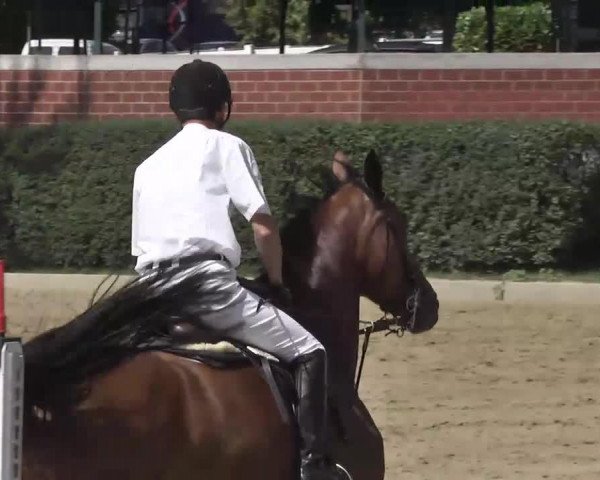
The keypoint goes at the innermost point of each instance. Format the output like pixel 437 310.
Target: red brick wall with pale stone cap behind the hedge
pixel 352 88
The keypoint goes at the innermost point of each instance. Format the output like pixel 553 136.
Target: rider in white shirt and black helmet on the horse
pixel 180 216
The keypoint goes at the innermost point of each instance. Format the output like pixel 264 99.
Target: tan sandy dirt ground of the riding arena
pixel 495 391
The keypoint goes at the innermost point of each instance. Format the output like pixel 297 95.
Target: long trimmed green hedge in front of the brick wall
pixel 479 195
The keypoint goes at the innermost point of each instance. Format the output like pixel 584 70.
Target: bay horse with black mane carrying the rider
pixel 104 398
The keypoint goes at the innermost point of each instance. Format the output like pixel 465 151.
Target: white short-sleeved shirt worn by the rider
pixel 182 195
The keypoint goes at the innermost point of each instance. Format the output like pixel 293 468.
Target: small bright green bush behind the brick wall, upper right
pixel 525 28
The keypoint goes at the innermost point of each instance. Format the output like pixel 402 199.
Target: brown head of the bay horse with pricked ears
pixel 372 248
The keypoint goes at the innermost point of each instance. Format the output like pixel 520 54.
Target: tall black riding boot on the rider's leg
pixel 311 384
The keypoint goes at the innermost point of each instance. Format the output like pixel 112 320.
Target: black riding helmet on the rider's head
pixel 198 90
